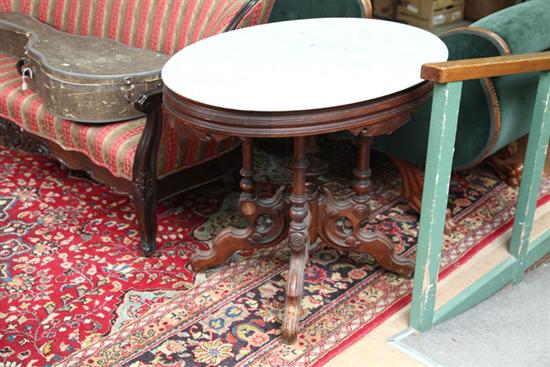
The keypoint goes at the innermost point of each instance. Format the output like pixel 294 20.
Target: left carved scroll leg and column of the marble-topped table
pixel 267 221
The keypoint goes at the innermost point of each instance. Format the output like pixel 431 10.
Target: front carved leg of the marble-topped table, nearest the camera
pixel 298 242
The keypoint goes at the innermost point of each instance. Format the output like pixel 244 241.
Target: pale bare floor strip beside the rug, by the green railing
pixel 374 348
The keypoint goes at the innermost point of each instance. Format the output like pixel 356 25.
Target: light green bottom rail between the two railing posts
pixel 478 292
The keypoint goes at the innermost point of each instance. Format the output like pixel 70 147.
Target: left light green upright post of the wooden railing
pixel 441 141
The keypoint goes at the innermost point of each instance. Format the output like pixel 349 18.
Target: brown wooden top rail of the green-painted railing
pixel 453 71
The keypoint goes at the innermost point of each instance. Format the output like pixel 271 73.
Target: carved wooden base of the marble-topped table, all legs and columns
pixel 339 221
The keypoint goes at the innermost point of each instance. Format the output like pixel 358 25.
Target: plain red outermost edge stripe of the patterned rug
pixel 355 337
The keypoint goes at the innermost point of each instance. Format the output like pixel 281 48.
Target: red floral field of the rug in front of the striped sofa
pixel 68 256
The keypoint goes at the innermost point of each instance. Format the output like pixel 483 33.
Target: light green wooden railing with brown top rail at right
pixel 448 77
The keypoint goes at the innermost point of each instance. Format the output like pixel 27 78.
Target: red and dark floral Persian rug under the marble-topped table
pixel 75 292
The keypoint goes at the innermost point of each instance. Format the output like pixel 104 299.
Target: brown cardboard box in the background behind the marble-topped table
pixel 445 15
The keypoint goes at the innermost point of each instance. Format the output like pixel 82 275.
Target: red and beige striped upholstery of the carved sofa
pixel 161 25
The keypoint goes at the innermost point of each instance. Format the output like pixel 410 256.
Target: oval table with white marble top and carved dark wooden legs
pixel 300 79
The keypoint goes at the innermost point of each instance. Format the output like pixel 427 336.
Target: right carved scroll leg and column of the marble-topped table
pixel 341 221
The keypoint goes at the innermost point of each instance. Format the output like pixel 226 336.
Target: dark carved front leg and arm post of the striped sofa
pixel 144 180
